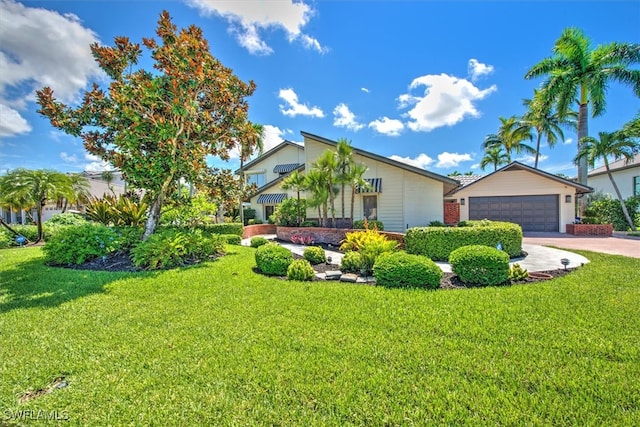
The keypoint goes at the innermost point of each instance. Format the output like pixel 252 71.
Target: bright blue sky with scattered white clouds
pixel 419 81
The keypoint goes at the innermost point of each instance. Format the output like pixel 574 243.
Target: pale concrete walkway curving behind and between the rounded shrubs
pixel 539 258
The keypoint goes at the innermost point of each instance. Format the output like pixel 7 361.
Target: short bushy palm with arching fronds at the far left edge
pixel 28 189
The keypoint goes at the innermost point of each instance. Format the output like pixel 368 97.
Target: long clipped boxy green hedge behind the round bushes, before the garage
pixel 437 243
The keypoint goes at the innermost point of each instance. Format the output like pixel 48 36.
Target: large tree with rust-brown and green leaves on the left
pixel 159 127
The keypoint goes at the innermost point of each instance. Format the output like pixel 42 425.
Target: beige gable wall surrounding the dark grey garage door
pixel 519 183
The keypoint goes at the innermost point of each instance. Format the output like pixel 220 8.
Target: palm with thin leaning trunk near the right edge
pixel 616 145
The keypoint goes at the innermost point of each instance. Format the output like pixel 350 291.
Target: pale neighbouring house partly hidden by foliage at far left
pixel 97 188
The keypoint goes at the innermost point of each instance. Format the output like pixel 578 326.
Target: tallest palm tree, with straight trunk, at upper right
pixel 577 71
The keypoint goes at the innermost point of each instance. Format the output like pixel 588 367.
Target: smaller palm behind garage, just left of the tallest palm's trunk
pixel 547 122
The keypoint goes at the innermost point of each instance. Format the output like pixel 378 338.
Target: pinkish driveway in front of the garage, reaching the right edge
pixel 619 244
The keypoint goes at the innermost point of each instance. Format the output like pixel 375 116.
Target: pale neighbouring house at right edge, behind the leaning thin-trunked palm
pixel 626 175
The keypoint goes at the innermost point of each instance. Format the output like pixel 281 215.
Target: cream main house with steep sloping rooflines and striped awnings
pixel 401 196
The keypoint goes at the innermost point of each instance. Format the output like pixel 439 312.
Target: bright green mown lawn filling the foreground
pixel 218 344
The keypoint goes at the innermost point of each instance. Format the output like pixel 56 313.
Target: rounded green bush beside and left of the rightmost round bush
pixel 403 270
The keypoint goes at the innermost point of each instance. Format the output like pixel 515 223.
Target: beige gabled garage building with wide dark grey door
pixel 537 200
